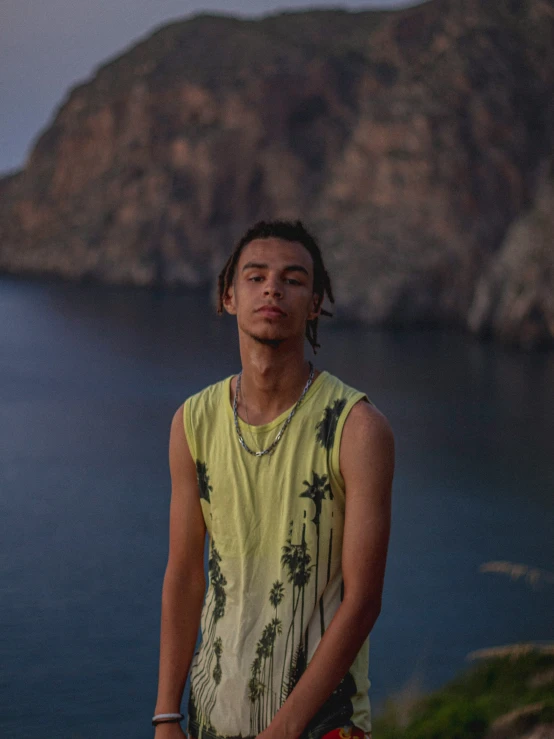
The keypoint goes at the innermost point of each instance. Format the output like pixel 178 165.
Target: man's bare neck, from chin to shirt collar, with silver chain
pixel 273 378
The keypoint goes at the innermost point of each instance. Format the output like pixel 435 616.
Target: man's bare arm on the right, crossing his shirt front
pixel 367 465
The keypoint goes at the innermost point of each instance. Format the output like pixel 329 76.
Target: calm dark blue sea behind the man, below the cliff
pixel 89 380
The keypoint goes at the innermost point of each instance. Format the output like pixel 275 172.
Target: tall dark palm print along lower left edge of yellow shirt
pixel 208 676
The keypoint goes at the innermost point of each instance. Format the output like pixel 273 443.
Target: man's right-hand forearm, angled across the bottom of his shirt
pixel 332 659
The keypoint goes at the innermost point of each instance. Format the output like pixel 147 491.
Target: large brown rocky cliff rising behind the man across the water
pixel 416 144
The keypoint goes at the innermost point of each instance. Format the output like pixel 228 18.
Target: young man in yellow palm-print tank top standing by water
pixel 290 472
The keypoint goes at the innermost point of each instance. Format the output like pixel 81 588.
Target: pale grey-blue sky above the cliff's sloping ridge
pixel 48 46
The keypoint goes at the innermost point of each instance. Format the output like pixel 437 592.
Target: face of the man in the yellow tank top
pixel 272 291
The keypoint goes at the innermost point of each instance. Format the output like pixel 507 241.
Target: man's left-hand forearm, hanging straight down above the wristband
pixel 180 620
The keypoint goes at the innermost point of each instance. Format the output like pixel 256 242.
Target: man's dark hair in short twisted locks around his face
pixel 293 231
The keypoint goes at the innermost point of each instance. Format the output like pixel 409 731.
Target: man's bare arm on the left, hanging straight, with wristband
pixel 184 581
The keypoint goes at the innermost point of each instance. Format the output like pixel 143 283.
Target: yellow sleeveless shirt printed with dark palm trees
pixel 275 527
